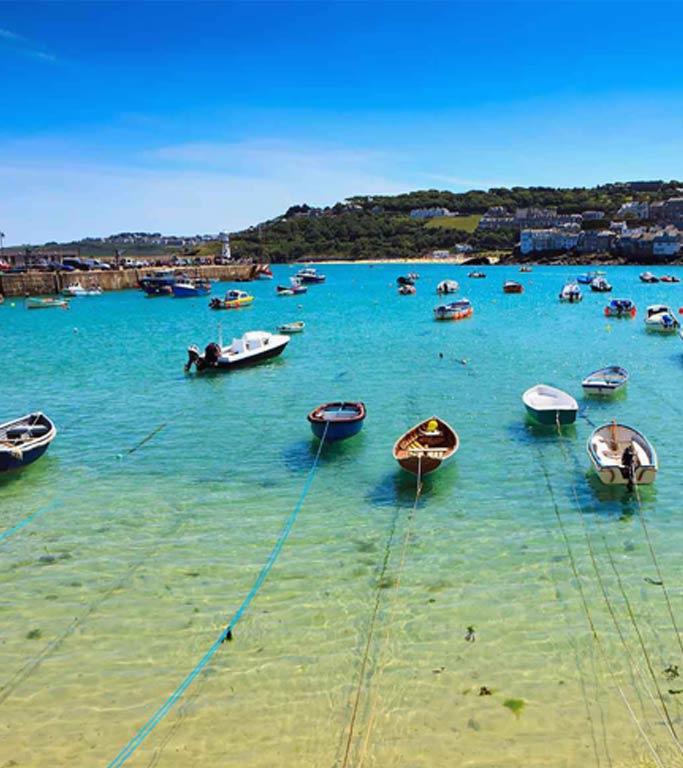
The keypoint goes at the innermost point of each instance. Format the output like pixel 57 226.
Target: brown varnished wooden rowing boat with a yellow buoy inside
pixel 424 447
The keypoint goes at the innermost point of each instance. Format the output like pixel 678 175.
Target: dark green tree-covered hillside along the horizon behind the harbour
pixel 380 226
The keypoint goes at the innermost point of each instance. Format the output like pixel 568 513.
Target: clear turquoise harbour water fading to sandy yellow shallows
pixel 354 651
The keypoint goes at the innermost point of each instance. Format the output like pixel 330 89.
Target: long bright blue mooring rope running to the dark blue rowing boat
pixel 163 710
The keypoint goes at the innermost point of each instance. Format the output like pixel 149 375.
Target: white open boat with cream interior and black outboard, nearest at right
pixel 621 455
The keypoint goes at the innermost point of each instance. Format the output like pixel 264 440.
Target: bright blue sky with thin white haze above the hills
pixel 196 117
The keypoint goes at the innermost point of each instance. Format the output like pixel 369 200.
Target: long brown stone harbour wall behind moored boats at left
pixel 50 283
